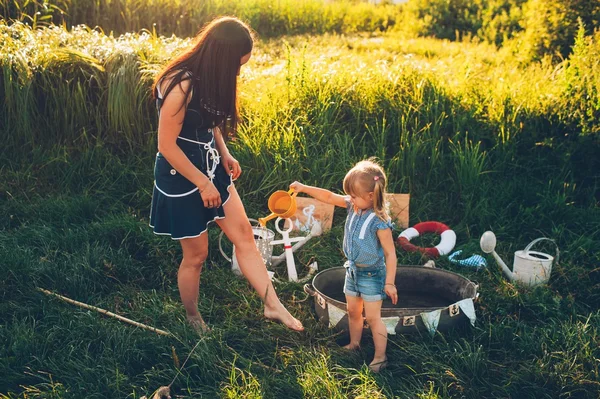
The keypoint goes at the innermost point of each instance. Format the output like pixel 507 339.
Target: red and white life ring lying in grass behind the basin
pixel 443 248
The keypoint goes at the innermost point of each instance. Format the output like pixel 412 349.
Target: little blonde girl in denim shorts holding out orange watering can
pixel 369 248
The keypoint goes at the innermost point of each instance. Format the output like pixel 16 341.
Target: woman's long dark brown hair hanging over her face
pixel 212 64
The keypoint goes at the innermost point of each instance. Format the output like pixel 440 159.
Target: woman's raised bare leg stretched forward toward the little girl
pixel 239 231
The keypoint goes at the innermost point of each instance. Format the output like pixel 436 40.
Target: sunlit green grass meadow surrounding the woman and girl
pixel 480 140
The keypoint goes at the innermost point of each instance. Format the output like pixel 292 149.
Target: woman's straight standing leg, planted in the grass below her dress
pixel 195 251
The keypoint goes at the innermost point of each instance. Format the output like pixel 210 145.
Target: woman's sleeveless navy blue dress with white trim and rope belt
pixel 177 206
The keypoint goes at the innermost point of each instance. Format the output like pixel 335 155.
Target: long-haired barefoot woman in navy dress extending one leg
pixel 196 95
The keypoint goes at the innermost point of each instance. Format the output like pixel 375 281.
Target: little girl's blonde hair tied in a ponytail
pixel 365 177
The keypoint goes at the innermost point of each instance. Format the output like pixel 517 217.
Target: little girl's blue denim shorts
pixel 365 282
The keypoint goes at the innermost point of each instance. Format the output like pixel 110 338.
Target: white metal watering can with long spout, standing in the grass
pixel 529 267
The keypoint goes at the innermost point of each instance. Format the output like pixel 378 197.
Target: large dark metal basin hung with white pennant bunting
pixel 420 290
